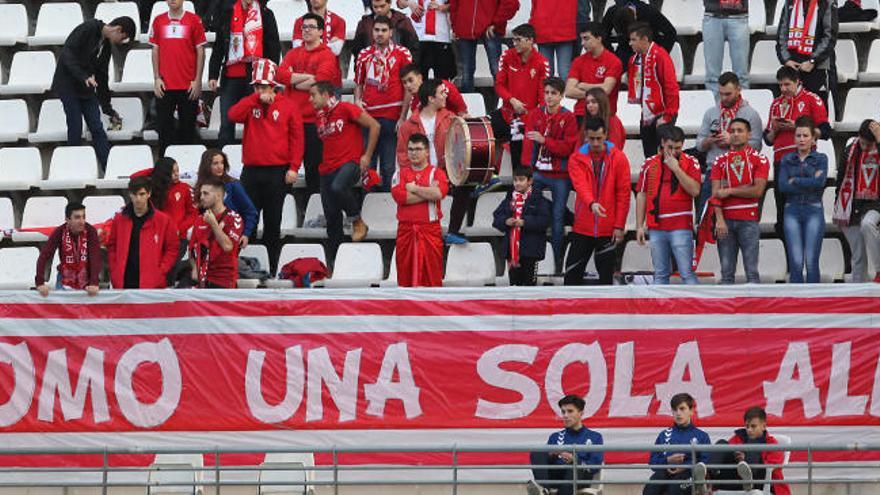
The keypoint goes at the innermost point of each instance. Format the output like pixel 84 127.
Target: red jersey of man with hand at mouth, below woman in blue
pixel 222 267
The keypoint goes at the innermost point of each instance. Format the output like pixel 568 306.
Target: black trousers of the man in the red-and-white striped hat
pixel 266 188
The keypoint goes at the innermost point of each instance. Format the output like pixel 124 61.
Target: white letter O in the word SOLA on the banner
pixel 591 355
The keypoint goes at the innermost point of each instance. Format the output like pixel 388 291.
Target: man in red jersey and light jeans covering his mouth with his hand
pixel 668 184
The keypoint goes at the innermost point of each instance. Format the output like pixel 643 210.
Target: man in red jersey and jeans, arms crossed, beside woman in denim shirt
pixel 739 178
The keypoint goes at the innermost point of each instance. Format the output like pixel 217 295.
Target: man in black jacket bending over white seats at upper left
pixel 80 79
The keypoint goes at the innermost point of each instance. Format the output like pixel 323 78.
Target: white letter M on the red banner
pixel 56 379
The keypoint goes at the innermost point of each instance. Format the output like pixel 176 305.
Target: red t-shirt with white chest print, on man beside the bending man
pixel 177 40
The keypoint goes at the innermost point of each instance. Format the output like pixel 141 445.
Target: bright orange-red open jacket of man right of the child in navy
pixel 612 191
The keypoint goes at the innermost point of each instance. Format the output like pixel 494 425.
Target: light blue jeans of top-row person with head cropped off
pixel 734 30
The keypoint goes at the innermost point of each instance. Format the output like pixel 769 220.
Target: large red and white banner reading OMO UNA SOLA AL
pixel 363 367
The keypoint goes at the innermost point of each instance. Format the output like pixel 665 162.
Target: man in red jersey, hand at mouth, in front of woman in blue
pixel 216 239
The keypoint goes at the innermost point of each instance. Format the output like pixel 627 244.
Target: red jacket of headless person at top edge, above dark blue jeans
pixel 471 18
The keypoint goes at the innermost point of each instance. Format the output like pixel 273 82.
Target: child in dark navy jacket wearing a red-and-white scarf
pixel 523 217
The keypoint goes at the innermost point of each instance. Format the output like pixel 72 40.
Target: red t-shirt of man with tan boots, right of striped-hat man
pixel 342 136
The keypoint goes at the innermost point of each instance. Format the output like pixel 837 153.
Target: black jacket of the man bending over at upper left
pixel 85 53
